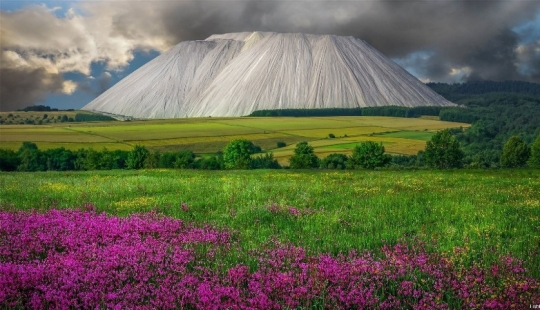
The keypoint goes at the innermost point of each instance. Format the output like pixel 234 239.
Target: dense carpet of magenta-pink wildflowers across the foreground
pixel 82 259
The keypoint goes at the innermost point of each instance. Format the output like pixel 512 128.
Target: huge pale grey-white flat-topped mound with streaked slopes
pixel 237 73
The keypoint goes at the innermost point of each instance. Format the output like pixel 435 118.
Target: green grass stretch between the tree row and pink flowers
pixel 483 214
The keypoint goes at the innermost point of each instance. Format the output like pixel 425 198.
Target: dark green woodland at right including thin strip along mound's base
pixel 496 110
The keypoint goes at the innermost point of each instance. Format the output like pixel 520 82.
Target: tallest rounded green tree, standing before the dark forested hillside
pixel 443 151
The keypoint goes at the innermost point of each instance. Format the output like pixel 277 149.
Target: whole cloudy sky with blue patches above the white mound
pixel 65 53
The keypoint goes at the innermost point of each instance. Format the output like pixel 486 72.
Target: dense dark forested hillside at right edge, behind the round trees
pixel 497 111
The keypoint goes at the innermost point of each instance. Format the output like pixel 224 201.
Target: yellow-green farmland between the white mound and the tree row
pixel 210 135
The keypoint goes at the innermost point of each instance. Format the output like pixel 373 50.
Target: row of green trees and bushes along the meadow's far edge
pixel 443 151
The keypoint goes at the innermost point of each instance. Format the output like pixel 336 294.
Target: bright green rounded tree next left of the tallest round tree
pixel 369 155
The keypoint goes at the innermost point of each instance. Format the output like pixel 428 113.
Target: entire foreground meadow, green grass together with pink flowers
pixel 292 238
